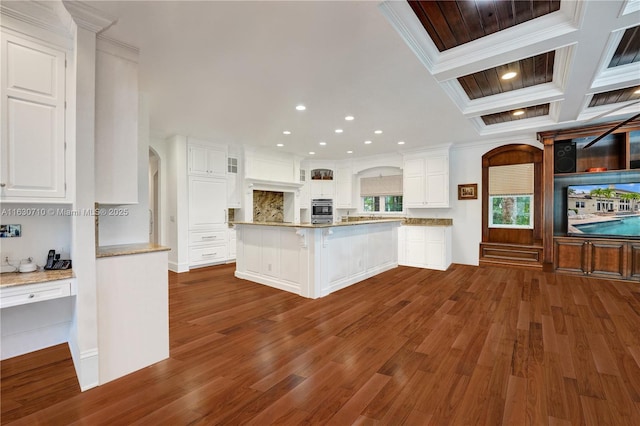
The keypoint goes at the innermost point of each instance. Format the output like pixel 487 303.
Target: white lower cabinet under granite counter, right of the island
pixel 425 247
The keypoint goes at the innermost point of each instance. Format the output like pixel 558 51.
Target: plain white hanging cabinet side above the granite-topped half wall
pixel 116 149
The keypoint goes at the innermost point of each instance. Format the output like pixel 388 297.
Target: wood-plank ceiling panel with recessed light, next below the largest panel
pixel 531 71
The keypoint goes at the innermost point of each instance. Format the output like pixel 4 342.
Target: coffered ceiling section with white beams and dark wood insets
pixel 573 60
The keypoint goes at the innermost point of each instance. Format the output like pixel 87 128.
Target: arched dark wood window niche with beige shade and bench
pixel 512 194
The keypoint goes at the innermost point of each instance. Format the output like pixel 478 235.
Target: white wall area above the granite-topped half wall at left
pixel 132 227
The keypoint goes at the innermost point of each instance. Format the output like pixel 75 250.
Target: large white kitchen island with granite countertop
pixel 315 260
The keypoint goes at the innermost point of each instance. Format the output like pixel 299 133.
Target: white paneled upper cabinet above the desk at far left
pixel 33 122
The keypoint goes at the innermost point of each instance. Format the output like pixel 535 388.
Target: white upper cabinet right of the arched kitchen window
pixel 426 180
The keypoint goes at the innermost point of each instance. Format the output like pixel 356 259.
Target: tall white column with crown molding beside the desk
pixel 83 339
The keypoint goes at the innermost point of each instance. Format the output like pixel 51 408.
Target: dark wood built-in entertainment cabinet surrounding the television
pixel 566 161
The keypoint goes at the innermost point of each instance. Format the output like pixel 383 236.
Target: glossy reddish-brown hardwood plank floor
pixel 411 346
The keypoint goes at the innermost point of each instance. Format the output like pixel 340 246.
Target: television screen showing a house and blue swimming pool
pixel 606 210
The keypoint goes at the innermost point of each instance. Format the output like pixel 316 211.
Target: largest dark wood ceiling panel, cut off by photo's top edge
pixel 452 23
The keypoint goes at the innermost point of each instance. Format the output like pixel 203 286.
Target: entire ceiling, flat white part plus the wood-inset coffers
pixel 424 73
